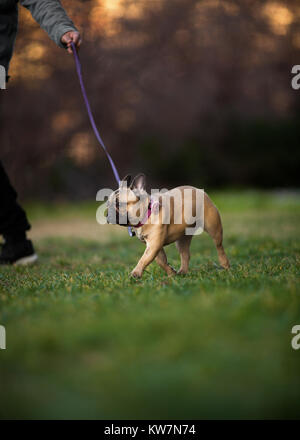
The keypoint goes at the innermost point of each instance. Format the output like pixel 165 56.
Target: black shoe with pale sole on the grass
pixel 21 253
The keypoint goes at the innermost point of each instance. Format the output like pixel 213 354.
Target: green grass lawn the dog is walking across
pixel 86 341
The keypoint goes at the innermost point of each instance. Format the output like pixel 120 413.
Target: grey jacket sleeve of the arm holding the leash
pixel 51 16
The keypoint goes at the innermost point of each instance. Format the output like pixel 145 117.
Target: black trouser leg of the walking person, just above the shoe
pixel 13 220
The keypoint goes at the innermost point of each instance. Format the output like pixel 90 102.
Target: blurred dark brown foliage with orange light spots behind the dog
pixel 187 91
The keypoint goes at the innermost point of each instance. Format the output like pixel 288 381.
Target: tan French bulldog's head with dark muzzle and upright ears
pixel 128 204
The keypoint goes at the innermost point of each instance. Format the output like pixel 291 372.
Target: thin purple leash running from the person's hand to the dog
pixel 92 121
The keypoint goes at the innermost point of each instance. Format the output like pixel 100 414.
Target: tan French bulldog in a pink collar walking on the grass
pixel 165 218
